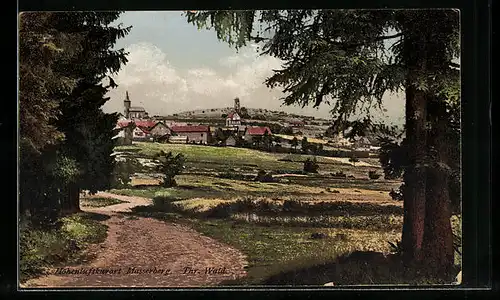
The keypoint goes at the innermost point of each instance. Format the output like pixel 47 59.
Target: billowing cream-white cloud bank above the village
pixel 164 87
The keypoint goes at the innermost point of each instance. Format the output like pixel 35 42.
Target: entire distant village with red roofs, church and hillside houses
pixel 232 130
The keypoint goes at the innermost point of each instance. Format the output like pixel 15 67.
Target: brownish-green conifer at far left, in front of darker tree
pixel 40 91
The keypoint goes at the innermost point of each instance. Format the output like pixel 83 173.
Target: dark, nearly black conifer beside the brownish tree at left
pixel 88 129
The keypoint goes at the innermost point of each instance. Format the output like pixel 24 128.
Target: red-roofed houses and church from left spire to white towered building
pixel 136 125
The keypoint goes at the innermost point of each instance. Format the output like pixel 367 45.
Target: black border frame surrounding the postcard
pixel 477 149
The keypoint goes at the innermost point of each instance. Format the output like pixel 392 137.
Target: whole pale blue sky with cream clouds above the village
pixel 175 67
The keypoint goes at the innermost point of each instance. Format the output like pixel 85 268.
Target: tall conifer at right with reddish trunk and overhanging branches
pixel 339 57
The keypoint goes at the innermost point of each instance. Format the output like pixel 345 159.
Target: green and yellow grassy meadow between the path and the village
pixel 297 224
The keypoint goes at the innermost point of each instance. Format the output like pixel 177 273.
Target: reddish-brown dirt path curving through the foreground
pixel 144 252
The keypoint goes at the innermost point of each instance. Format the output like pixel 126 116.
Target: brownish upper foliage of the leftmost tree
pixel 40 86
